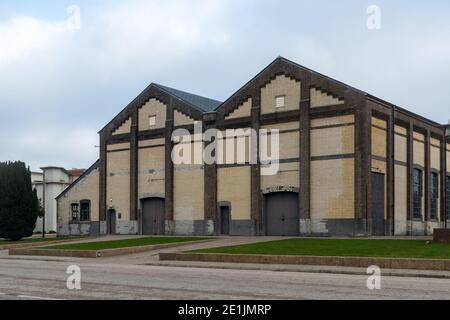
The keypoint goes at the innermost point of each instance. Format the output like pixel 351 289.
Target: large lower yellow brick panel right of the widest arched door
pixel 332 189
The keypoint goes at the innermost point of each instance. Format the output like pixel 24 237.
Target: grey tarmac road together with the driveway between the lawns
pixel 142 276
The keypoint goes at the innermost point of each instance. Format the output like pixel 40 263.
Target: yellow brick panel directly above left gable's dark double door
pixel 151 173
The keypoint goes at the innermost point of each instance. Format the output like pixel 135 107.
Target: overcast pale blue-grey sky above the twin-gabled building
pixel 59 85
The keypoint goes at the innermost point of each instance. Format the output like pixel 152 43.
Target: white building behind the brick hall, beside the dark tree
pixel 56 179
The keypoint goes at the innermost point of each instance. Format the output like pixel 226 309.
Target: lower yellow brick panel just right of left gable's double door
pixel 188 193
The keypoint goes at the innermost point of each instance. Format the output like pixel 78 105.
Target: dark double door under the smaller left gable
pixel 153 216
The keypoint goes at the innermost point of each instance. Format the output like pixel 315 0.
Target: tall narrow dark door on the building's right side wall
pixel 378 205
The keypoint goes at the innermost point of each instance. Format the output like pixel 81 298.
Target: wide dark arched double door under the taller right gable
pixel 282 214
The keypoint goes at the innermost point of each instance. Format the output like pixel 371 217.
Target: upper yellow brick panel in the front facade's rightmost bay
pixel 333 141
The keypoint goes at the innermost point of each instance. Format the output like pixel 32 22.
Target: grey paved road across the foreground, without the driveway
pixel 28 279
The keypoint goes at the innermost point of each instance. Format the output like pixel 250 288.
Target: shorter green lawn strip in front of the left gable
pixel 128 243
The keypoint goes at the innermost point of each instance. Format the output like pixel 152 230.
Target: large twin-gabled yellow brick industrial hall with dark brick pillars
pixel 350 164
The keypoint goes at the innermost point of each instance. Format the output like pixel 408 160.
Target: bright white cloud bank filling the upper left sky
pixel 116 41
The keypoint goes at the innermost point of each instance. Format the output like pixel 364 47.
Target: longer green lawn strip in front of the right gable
pixel 340 248
